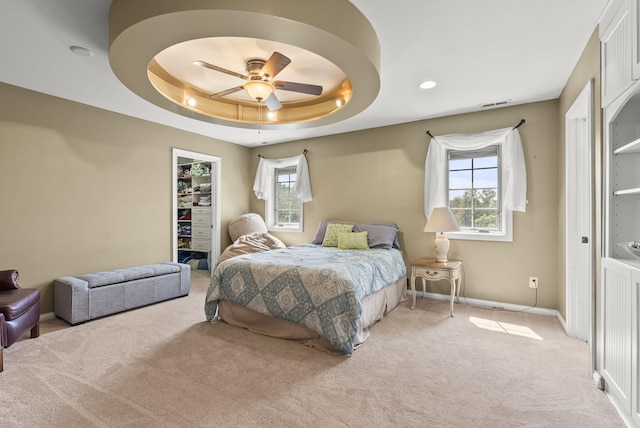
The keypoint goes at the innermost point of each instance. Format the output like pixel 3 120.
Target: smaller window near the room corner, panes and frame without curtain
pixel 284 210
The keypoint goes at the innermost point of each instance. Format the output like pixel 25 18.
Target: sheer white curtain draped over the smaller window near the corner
pixel 265 177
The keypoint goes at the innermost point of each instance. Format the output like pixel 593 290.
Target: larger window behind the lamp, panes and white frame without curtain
pixel 475 194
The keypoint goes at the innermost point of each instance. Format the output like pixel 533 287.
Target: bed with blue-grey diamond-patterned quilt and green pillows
pixel 324 295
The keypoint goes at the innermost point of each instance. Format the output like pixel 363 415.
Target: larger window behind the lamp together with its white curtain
pixel 482 177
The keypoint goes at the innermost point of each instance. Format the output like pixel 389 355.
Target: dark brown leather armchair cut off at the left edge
pixel 19 310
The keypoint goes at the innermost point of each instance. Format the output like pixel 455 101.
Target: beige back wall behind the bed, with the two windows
pixel 378 174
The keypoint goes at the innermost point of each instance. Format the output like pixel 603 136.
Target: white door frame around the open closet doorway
pixel 215 200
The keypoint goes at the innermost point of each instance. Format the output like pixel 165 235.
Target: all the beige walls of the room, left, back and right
pixel 84 189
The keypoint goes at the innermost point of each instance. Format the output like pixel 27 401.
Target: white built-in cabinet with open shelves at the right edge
pixel 618 326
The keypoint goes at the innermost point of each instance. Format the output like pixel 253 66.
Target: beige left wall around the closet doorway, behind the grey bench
pixel 84 189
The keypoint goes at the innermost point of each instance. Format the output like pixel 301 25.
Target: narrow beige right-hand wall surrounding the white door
pixel 587 68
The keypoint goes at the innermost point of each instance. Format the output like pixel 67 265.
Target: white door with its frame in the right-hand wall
pixel 580 111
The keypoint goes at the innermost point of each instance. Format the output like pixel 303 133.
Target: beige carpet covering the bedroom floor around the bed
pixel 165 366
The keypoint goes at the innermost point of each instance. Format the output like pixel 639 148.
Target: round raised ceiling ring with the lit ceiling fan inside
pixel 169 48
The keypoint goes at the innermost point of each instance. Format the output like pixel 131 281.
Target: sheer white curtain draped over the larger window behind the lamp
pixel 514 172
